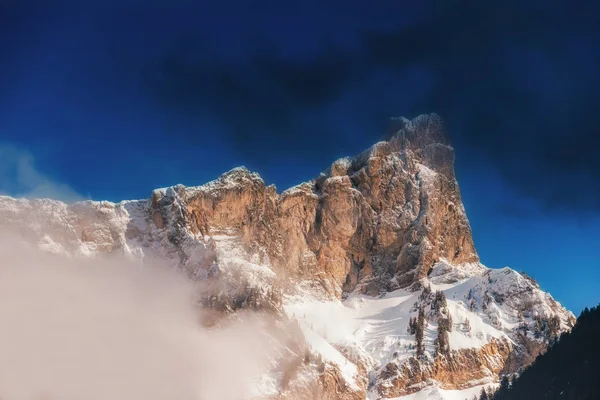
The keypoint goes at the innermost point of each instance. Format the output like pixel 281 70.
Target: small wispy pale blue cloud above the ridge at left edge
pixel 20 177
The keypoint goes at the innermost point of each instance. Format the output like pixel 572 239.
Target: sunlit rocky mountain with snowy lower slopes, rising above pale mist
pixel 371 266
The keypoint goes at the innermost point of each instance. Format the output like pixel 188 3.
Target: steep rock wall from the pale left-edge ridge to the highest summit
pixel 377 221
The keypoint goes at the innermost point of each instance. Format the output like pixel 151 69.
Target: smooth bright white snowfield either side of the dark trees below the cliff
pixel 378 325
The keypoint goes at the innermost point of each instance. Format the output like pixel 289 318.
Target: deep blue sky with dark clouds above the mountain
pixel 112 99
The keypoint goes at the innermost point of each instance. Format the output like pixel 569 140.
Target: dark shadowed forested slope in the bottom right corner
pixel 570 369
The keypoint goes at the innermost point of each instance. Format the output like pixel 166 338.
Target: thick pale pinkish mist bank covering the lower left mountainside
pixel 109 328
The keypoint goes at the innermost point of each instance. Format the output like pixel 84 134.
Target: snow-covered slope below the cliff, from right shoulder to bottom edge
pixel 485 305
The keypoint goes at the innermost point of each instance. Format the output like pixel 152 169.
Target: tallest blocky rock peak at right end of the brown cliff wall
pixel 408 200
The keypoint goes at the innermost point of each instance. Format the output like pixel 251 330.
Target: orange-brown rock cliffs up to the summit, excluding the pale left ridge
pixel 380 219
